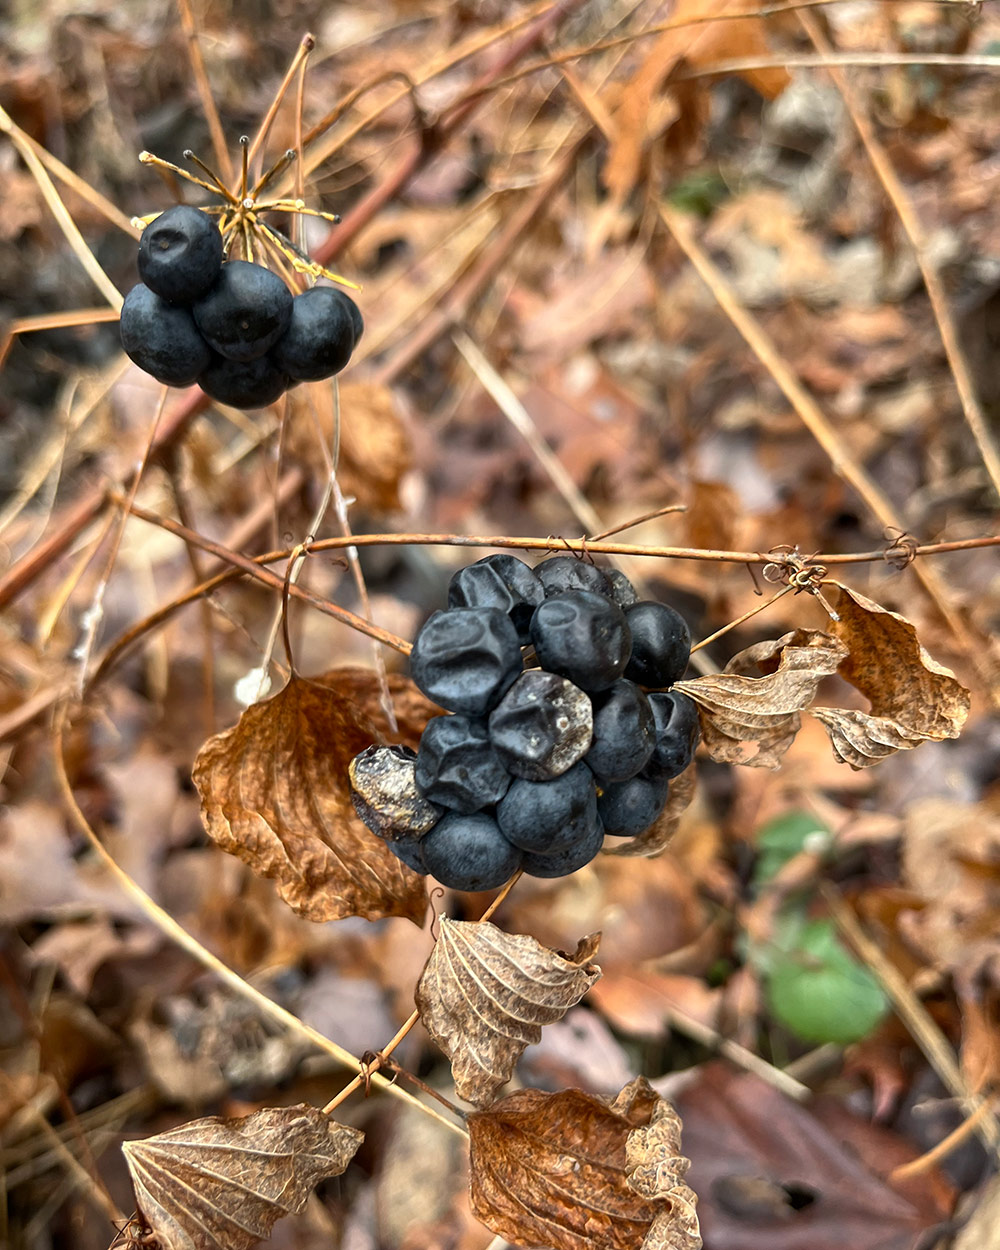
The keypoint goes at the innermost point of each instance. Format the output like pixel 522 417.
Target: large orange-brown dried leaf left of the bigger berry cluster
pixel 274 792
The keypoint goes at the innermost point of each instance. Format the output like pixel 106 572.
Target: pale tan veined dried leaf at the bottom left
pixel 219 1184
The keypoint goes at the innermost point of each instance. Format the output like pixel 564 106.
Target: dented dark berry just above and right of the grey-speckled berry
pixel 583 637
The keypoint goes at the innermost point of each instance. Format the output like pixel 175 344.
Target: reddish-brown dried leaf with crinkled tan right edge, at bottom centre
pixel 566 1171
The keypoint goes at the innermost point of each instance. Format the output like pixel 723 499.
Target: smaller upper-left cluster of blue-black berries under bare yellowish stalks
pixel 229 326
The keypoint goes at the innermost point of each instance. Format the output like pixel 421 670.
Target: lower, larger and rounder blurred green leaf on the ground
pixel 821 992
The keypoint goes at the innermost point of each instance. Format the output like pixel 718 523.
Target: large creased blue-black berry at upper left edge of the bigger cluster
pixel 466 658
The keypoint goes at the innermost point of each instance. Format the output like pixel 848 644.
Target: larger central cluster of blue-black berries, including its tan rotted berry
pixel 536 766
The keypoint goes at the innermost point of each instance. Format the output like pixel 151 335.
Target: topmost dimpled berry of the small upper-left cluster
pixel 181 254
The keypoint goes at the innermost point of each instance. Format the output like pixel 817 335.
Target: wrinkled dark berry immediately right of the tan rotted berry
pixel 457 766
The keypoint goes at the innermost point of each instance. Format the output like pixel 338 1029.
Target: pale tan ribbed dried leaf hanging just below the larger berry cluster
pixel 484 997
